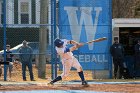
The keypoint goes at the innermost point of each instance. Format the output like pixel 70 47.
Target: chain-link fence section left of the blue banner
pixel 24 22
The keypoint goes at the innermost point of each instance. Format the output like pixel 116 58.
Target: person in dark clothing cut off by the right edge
pixel 137 58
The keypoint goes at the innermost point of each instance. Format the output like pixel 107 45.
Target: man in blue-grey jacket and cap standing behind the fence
pixel 26 60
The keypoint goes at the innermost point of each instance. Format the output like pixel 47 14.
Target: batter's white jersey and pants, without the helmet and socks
pixel 67 58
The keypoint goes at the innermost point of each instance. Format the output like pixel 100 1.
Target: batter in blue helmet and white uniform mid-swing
pixel 68 60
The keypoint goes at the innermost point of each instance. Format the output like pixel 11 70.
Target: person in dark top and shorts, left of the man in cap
pixel 9 58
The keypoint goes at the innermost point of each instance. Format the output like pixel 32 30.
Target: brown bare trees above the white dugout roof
pixel 125 8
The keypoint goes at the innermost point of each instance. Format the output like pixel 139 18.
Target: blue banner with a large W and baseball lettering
pixel 86 20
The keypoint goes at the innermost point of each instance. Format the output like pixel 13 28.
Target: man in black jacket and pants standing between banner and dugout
pixel 117 53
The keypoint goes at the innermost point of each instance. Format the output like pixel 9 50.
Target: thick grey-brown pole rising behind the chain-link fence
pixel 43 38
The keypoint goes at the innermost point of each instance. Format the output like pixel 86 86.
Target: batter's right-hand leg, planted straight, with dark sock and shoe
pixel 77 65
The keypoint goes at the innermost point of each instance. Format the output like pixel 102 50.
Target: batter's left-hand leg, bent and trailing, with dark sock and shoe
pixel 66 70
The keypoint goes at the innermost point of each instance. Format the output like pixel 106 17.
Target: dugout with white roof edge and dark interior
pixel 128 30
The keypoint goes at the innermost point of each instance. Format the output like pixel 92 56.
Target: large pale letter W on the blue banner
pixel 85 18
